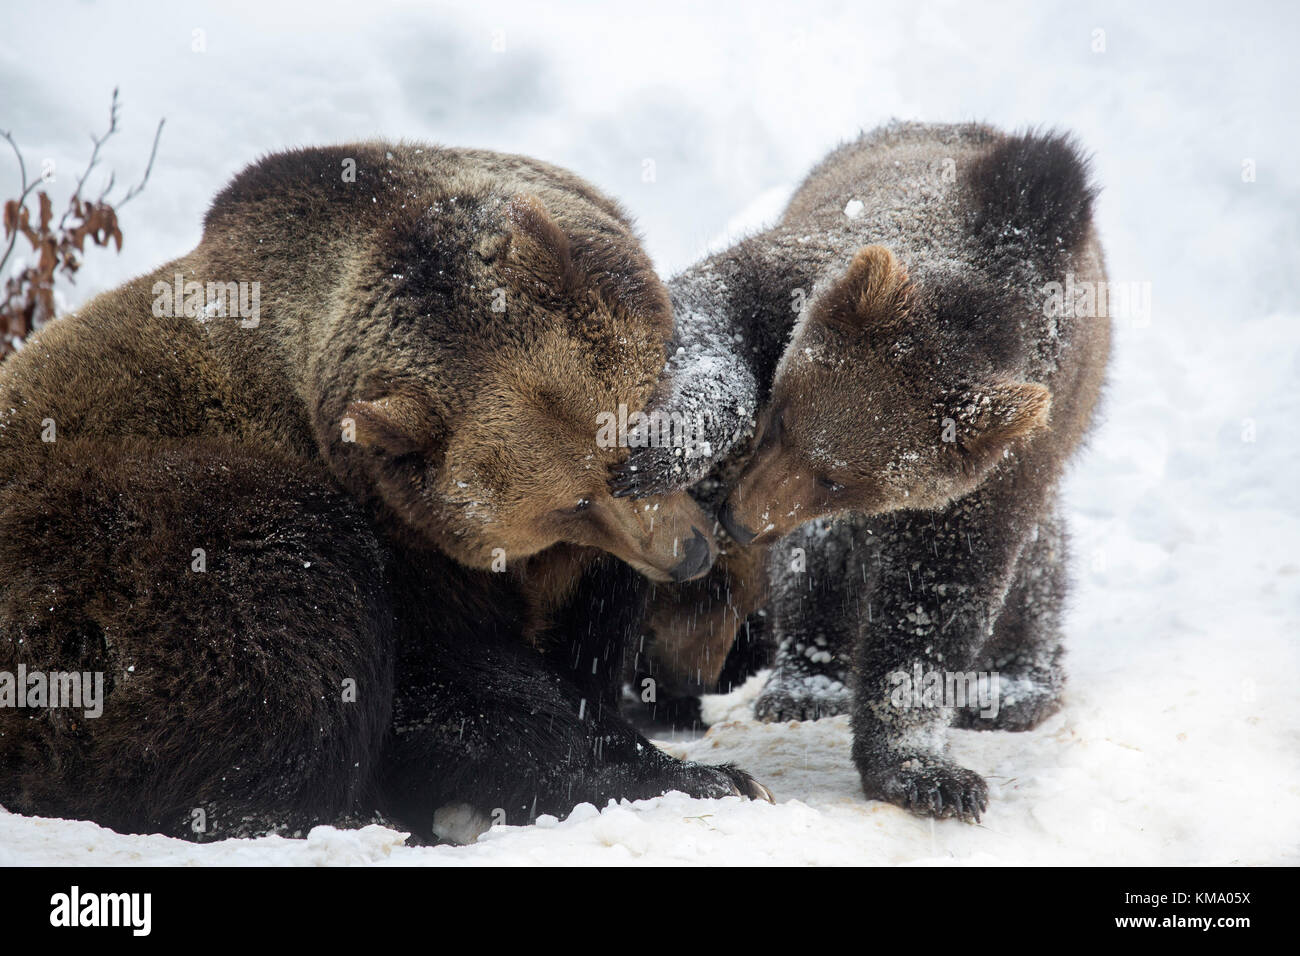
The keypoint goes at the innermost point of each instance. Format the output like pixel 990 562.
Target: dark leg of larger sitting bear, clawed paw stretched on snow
pixel 497 726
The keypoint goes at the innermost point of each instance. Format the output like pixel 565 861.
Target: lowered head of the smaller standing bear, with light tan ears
pixel 868 417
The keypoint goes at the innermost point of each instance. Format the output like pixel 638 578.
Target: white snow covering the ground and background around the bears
pixel 1181 739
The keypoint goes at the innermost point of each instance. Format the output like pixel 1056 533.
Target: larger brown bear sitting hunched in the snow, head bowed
pixel 322 507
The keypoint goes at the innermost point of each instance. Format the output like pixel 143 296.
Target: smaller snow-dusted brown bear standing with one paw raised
pixel 917 416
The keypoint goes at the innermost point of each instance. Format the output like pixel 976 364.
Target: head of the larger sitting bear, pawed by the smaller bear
pixel 469 410
